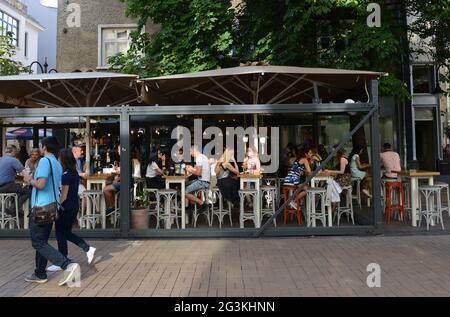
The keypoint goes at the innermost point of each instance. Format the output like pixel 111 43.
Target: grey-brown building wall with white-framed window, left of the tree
pixel 91 31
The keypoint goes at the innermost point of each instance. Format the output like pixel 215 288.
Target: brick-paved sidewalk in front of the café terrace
pixel 411 266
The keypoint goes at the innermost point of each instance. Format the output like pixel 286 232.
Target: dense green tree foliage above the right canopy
pixel 199 35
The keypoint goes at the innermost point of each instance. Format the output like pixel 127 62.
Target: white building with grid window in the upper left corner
pixel 14 18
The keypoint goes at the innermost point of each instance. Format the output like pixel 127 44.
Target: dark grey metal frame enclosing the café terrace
pixel 125 112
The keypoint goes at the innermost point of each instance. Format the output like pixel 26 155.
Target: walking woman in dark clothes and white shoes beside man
pixel 69 209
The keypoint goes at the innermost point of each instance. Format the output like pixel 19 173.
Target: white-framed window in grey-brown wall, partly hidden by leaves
pixel 113 41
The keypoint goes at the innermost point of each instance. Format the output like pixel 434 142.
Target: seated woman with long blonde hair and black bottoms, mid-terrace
pixel 226 169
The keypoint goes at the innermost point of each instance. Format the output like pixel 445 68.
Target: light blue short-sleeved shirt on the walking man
pixel 46 196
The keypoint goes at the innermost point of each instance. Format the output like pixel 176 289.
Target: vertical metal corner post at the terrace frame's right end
pixel 375 155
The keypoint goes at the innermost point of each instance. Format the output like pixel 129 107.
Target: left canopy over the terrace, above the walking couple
pixel 82 89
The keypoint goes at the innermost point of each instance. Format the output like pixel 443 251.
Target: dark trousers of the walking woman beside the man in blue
pixel 64 233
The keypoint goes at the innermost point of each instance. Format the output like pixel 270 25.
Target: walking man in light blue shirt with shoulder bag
pixel 46 183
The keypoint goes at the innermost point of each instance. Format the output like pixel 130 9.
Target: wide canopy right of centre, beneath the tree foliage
pixel 258 85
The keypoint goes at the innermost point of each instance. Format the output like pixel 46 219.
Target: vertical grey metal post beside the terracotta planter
pixel 125 171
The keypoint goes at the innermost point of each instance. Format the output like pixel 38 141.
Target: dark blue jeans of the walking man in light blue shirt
pixel 45 252
